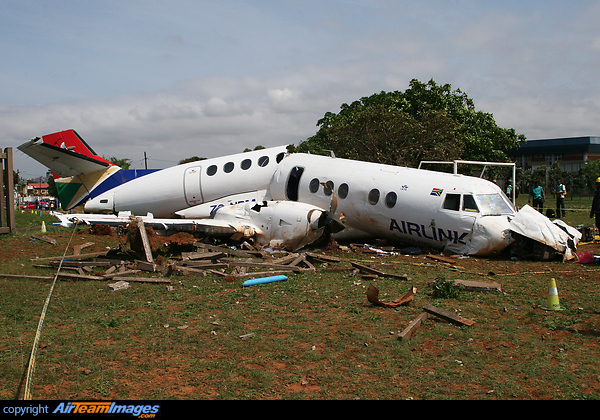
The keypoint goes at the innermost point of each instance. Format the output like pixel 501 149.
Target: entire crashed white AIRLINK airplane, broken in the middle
pixel 291 200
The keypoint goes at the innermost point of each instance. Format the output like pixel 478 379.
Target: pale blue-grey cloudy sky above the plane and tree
pixel 177 78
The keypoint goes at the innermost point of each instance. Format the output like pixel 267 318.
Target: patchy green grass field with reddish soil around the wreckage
pixel 314 336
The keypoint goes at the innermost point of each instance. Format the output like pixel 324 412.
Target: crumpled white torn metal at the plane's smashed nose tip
pixel 557 235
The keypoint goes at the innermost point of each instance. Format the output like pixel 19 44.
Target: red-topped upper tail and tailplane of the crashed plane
pixel 65 154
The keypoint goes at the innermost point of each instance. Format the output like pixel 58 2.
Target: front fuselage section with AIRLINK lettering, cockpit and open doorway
pixel 401 204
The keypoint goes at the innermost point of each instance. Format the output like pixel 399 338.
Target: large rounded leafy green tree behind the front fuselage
pixel 426 122
